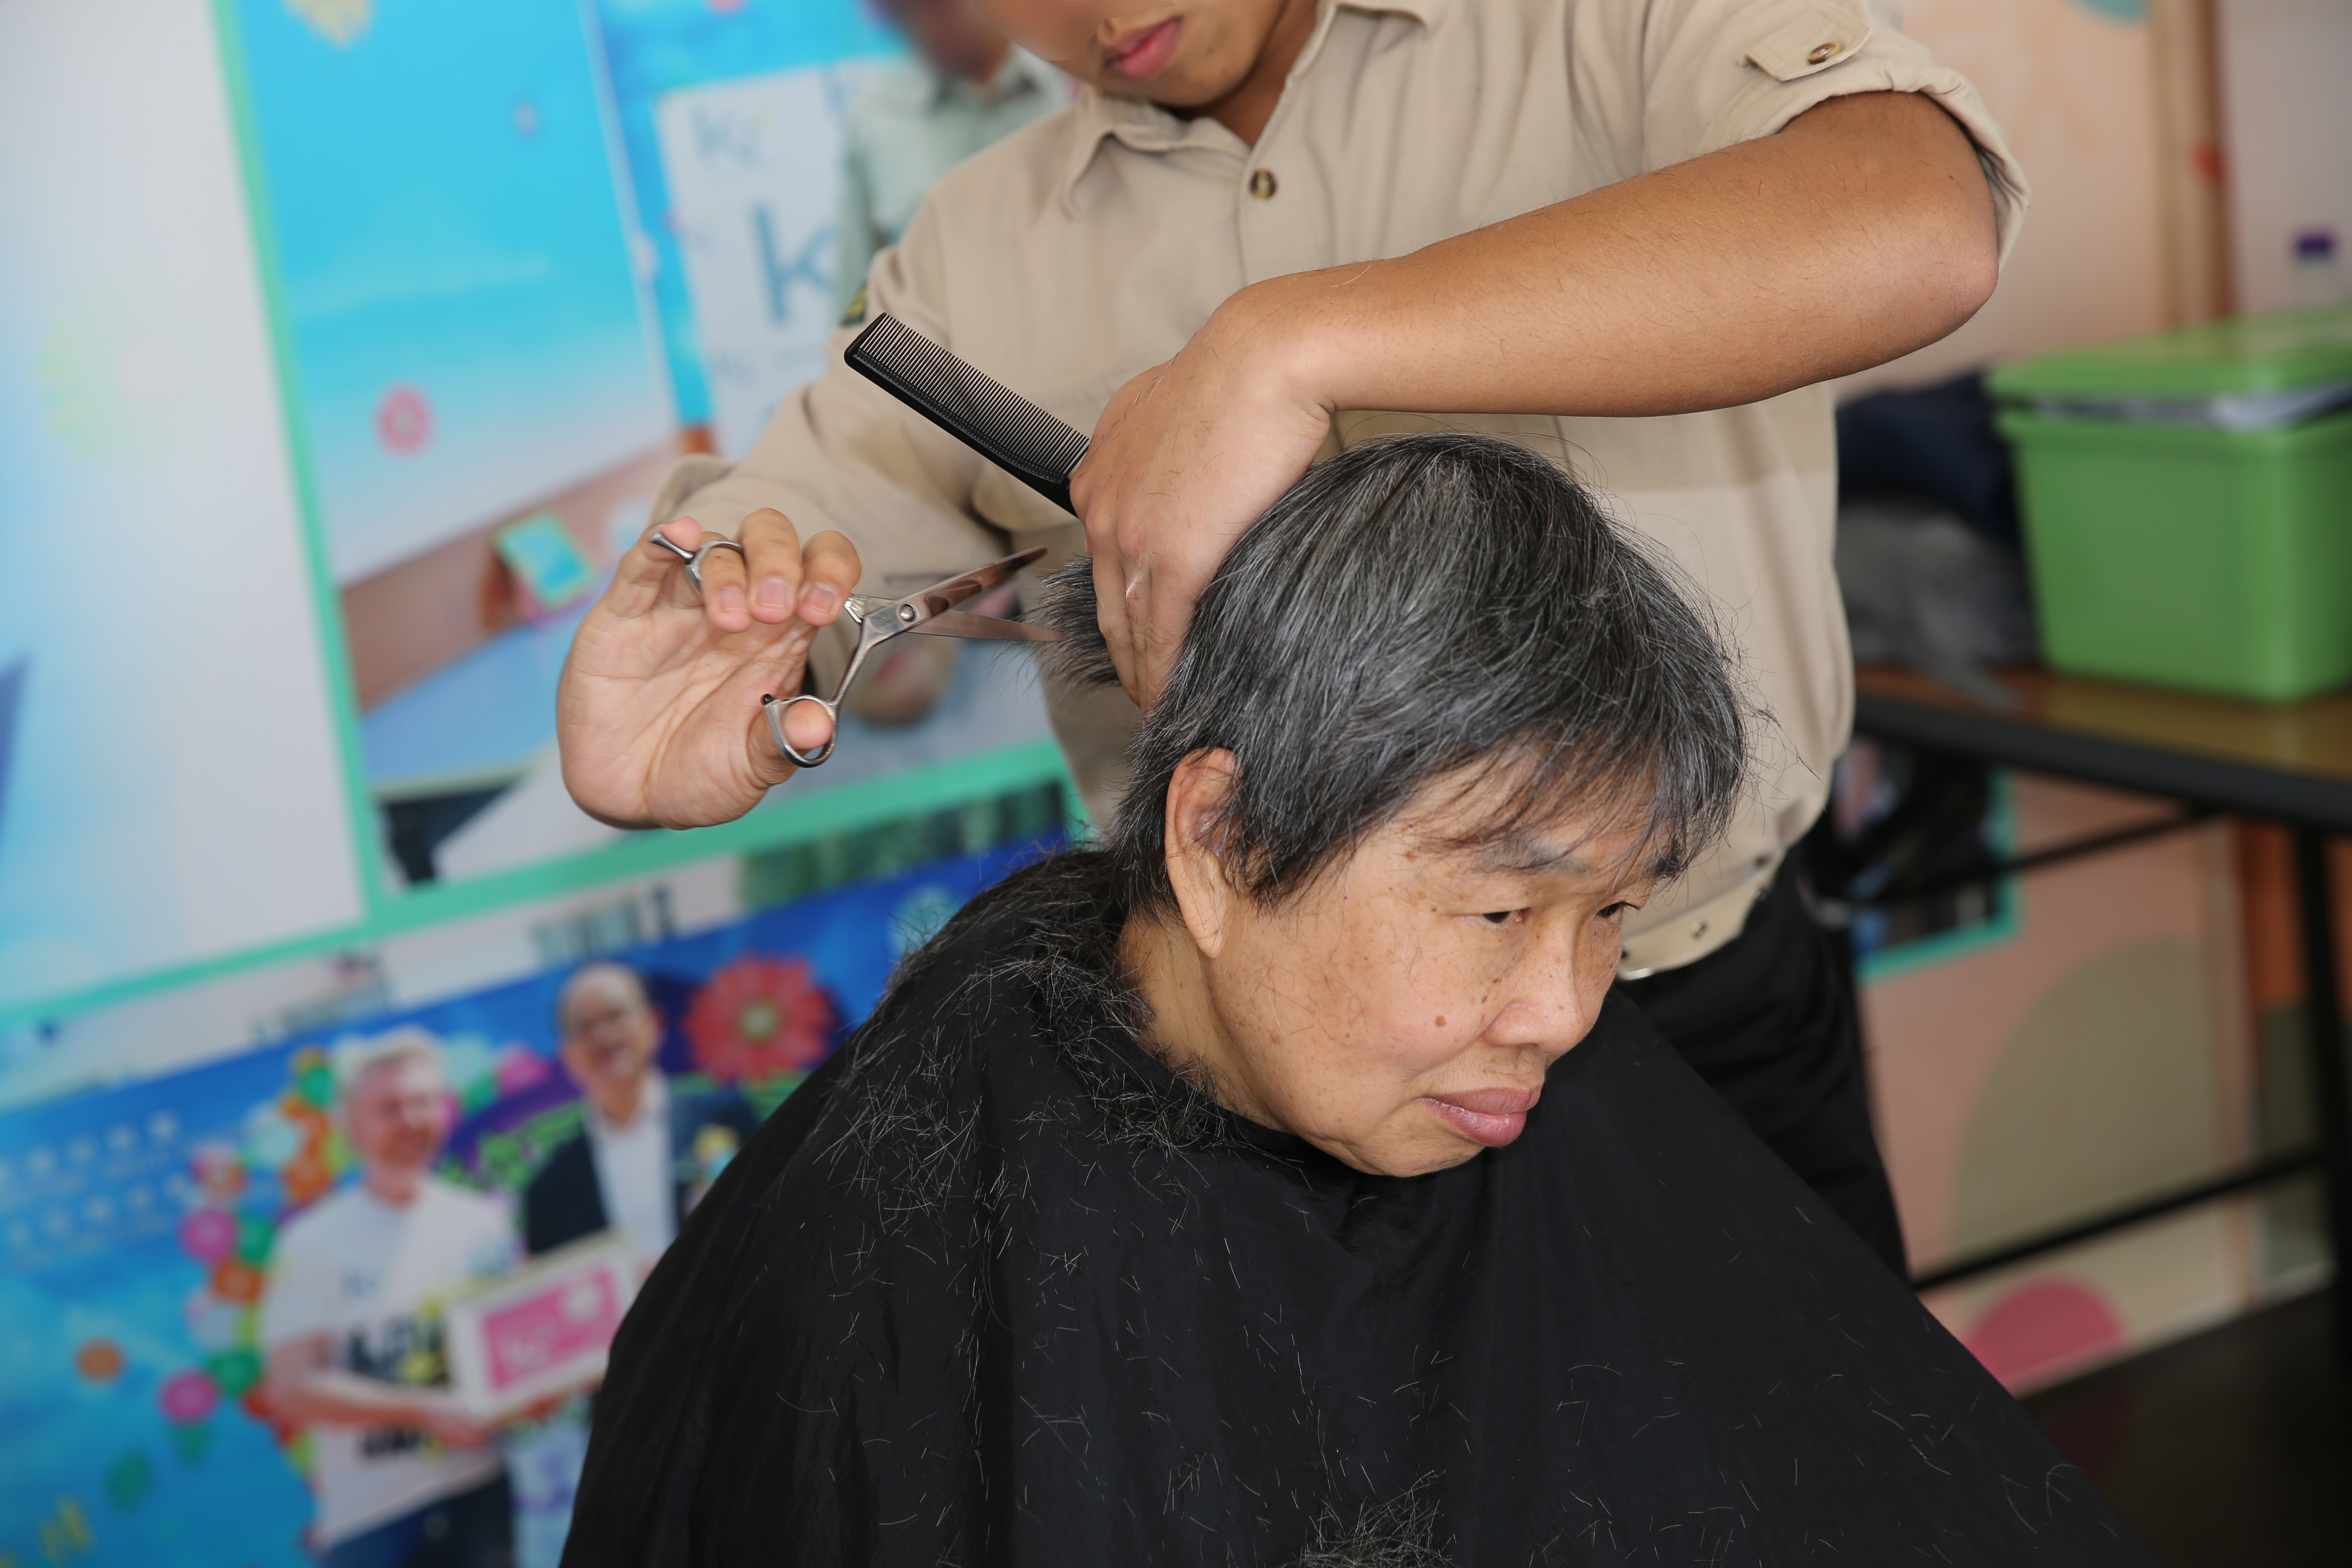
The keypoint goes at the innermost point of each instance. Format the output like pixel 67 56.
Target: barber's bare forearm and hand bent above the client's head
pixel 1857 234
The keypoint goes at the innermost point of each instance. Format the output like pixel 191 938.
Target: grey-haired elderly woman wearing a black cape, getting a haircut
pixel 1283 1184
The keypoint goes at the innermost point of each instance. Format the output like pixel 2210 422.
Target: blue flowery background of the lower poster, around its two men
pixel 138 1224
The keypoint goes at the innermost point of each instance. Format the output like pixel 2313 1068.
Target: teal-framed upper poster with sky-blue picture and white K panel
pixel 521 262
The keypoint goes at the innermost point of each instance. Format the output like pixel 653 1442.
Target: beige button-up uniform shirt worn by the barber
pixel 1095 243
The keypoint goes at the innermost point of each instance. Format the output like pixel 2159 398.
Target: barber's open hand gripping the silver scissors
pixel 660 711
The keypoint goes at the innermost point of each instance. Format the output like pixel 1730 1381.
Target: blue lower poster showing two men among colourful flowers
pixel 161 1240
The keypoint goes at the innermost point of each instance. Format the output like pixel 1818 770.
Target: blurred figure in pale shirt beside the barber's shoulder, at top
pixel 965 88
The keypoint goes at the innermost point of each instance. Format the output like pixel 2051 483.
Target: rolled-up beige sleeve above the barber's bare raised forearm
pixel 1713 74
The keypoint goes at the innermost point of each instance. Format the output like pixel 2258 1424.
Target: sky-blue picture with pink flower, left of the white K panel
pixel 469 366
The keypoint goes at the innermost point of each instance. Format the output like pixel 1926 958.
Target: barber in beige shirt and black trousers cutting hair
pixel 1633 234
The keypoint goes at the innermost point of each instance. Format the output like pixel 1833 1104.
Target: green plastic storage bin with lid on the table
pixel 2184 554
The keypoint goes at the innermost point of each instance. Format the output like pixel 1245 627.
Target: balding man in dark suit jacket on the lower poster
pixel 648 1153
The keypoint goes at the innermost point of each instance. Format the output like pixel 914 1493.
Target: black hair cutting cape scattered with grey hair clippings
pixel 996 1287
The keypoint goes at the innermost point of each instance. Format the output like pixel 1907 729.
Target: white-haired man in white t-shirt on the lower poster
pixel 352 1332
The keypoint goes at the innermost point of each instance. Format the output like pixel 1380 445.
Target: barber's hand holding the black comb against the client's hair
pixel 1184 462
